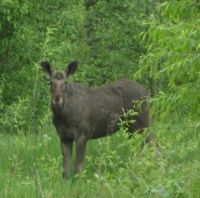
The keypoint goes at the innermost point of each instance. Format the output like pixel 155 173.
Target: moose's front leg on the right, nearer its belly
pixel 80 153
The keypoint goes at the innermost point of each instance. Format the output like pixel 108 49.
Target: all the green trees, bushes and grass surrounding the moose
pixel 155 42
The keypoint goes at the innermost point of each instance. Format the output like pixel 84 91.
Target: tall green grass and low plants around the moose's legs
pixel 30 165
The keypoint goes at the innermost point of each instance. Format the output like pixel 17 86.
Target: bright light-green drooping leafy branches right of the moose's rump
pixel 171 64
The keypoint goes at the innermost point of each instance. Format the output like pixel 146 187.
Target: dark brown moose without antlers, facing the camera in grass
pixel 81 113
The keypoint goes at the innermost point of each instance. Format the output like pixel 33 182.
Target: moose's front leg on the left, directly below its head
pixel 66 147
